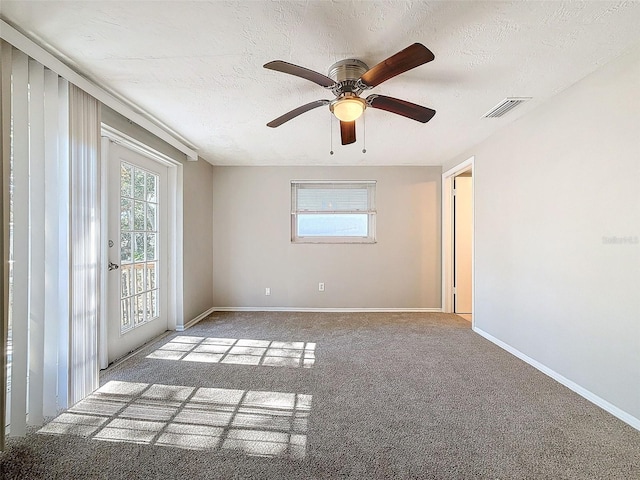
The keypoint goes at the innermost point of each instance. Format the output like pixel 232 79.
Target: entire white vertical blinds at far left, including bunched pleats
pixel 51 319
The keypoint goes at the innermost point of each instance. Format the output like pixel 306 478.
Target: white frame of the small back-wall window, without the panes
pixel 369 185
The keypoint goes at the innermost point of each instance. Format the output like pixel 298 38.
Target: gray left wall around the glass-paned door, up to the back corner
pixel 197 221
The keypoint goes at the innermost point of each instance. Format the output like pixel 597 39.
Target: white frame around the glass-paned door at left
pixel 175 311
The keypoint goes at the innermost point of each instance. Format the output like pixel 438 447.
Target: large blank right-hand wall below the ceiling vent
pixel 551 192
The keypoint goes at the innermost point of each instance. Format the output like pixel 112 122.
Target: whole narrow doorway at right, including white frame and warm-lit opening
pixel 457 240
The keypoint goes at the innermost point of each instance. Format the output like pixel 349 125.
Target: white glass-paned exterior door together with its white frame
pixel 142 252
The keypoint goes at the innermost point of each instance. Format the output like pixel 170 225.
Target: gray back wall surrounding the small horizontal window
pixel 253 249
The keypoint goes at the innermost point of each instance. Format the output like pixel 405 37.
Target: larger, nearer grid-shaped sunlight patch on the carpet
pixel 258 423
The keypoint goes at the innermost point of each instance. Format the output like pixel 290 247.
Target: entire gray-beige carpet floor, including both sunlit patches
pixel 314 395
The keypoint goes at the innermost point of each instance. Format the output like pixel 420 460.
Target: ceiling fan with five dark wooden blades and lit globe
pixel 349 78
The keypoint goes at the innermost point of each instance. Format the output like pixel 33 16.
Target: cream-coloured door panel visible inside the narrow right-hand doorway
pixel 463 243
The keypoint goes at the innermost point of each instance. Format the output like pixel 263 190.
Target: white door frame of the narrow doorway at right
pixel 448 236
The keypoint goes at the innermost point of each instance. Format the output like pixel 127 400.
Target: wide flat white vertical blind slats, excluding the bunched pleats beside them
pixel 37 314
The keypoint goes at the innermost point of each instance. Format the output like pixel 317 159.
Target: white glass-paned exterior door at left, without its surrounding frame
pixel 137 253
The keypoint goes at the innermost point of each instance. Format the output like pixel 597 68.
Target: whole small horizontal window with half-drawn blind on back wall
pixel 333 212
